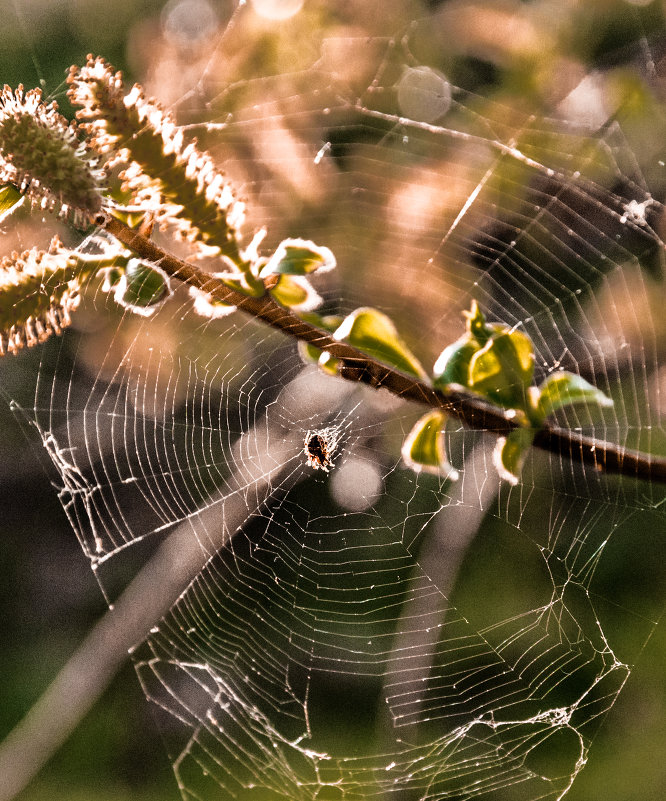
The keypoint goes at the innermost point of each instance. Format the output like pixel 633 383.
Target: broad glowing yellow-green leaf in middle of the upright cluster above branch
pixel 503 369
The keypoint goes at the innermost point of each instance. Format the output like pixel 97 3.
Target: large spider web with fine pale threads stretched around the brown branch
pixel 373 632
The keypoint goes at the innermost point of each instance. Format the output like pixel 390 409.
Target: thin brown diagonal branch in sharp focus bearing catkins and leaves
pixel 357 366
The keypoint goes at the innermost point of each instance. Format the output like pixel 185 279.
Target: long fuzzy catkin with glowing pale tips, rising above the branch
pixel 175 182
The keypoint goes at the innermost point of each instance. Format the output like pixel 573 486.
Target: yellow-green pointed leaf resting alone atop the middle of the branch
pixel 375 334
